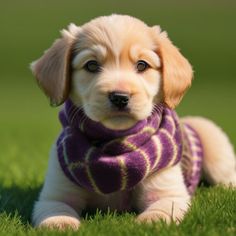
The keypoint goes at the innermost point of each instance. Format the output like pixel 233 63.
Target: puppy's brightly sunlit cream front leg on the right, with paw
pixel 163 196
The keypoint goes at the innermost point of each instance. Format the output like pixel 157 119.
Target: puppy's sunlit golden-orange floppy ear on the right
pixel 177 72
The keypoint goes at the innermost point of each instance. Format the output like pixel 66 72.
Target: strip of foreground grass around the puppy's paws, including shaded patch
pixel 213 212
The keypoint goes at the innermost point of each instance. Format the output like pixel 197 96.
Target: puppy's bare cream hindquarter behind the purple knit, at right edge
pixel 219 163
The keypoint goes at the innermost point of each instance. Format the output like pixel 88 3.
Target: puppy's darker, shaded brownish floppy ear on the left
pixel 52 70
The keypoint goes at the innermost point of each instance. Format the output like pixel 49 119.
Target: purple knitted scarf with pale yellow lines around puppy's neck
pixel 105 160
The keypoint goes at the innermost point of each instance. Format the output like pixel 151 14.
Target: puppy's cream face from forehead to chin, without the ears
pixel 116 72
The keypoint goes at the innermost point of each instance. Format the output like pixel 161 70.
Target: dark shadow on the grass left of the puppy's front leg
pixel 17 200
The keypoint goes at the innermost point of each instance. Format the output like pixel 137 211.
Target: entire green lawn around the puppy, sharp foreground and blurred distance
pixel 28 126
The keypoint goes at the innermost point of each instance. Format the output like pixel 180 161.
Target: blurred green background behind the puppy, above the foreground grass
pixel 205 31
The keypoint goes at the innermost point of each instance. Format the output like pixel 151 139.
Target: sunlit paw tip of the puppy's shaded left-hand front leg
pixel 60 222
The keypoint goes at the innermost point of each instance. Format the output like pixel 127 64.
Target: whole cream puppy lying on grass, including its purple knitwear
pixel 122 145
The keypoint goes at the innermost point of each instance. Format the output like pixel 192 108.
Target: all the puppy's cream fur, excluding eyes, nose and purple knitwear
pixel 162 195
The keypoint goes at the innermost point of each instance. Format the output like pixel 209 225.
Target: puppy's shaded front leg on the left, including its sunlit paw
pixel 60 200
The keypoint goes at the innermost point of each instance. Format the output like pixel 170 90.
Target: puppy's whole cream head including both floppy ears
pixel 115 67
